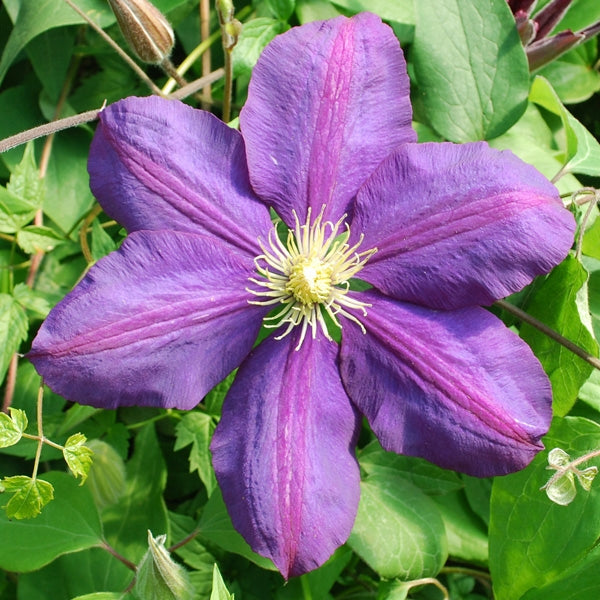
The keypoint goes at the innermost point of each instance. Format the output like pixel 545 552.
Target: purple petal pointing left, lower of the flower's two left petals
pixel 157 323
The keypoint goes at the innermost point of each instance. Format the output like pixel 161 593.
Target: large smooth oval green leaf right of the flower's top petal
pixel 470 66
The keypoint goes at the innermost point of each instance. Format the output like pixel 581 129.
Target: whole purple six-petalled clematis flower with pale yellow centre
pixel 436 230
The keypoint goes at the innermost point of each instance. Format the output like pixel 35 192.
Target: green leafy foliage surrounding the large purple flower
pixel 151 469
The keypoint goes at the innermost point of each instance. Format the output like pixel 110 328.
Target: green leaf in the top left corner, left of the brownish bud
pixel 36 17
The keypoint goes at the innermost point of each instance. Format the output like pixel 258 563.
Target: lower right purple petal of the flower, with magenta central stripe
pixel 457 388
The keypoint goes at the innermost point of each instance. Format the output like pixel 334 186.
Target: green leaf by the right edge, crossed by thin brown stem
pixel 558 303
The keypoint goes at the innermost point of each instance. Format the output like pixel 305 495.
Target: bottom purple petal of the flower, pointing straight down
pixel 284 453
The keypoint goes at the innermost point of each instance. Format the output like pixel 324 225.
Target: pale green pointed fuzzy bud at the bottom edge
pixel 158 576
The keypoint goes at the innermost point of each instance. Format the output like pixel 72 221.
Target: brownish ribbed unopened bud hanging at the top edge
pixel 145 28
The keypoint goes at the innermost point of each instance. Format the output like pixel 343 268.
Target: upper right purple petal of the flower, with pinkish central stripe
pixel 459 225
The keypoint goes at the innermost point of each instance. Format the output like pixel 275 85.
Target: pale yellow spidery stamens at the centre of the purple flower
pixel 309 276
